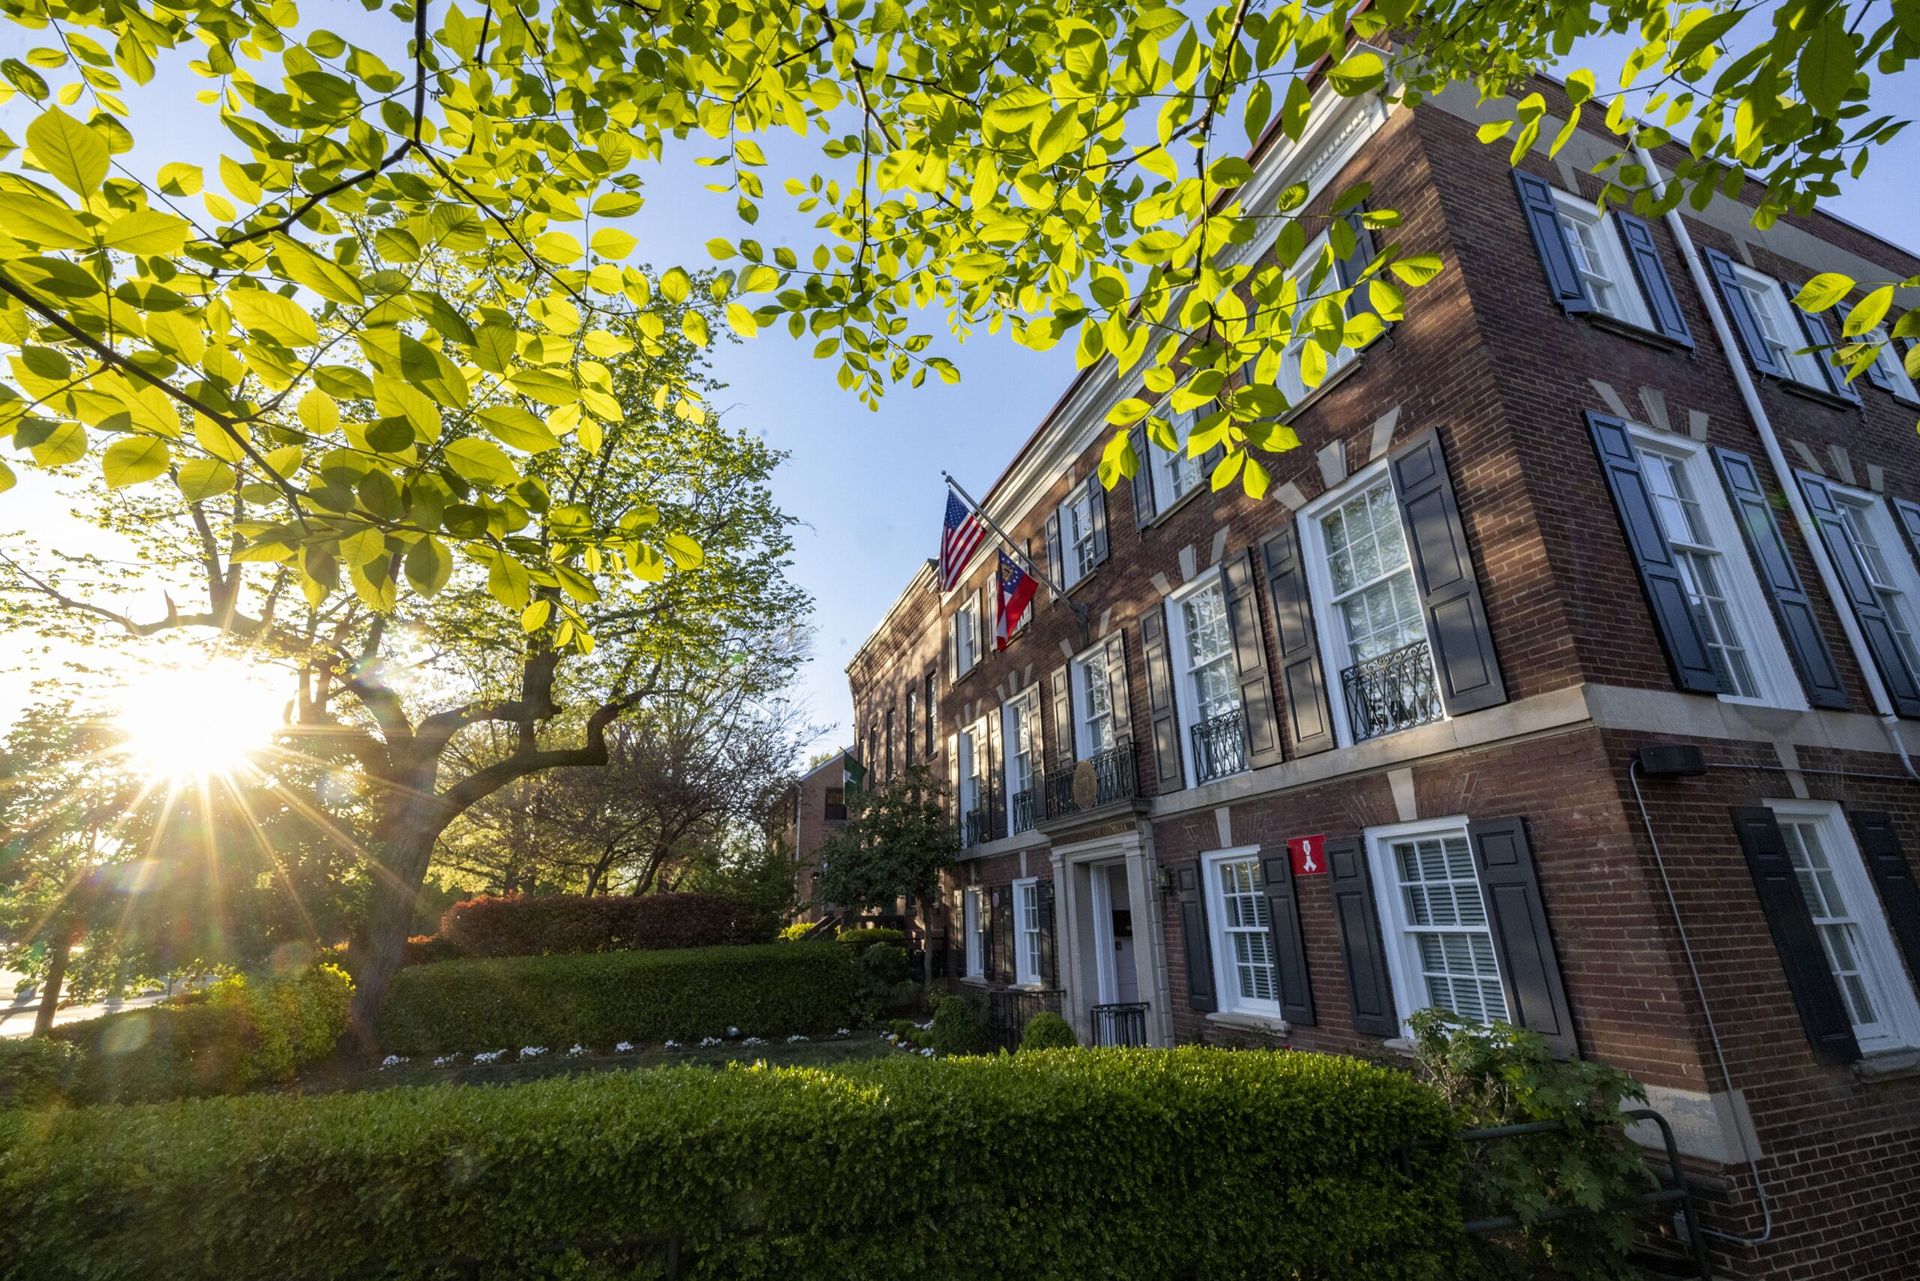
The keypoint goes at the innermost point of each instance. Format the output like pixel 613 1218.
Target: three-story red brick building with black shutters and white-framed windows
pixel 1529 535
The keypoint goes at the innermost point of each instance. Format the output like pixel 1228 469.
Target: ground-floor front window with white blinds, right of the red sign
pixel 1433 915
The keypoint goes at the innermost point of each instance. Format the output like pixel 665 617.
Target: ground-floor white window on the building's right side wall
pixel 1852 925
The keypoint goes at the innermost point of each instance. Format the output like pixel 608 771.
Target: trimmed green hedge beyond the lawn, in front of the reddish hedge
pixel 769 990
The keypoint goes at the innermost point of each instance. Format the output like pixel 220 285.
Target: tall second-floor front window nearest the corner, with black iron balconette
pixel 1374 627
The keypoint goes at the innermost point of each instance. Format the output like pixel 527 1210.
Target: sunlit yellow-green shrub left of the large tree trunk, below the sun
pixel 235 1036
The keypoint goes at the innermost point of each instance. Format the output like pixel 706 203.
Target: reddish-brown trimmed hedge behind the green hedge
pixel 564 925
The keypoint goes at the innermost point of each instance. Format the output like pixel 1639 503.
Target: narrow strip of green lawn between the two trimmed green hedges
pixel 512 1069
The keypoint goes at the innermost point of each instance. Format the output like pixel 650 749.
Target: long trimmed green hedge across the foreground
pixel 1116 1165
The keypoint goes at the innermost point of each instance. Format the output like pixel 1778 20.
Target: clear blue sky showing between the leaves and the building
pixel 867 487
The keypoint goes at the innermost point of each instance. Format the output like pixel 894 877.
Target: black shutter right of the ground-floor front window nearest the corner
pixel 1537 998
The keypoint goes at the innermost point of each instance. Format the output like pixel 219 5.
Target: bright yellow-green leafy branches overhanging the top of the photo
pixel 1057 174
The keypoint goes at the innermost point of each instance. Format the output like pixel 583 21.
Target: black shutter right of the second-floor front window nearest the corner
pixel 1443 569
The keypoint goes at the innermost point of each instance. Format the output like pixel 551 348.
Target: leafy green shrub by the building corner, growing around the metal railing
pixel 1502 1075
